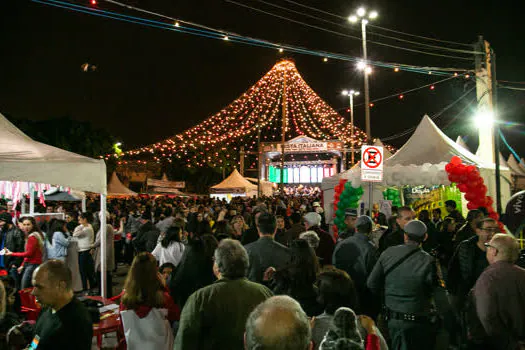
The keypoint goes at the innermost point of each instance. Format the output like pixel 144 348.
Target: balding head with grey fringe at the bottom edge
pixel 279 323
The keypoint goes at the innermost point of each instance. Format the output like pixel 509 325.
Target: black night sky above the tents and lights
pixel 151 84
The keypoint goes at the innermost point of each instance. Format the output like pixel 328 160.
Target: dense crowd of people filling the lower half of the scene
pixel 266 274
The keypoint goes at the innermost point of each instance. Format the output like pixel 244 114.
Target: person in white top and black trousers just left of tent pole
pixel 85 237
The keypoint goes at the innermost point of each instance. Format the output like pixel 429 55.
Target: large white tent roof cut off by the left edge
pixel 23 159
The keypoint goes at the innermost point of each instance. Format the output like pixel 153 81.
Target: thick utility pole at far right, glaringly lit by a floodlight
pixel 486 90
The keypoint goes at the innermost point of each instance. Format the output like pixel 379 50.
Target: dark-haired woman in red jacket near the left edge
pixel 34 250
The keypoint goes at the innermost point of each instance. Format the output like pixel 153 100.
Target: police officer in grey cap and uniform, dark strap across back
pixel 407 274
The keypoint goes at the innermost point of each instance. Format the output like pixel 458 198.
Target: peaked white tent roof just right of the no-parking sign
pixel 428 144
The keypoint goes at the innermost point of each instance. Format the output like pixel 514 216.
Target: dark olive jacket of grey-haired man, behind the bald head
pixel 215 316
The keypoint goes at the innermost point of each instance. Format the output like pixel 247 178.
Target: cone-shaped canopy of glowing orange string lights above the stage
pixel 216 141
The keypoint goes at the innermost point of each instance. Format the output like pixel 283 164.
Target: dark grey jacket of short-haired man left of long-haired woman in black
pixel 265 253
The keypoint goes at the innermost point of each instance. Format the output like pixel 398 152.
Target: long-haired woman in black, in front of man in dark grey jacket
pixel 298 278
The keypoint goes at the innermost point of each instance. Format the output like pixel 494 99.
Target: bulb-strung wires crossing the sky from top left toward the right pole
pixel 220 34
